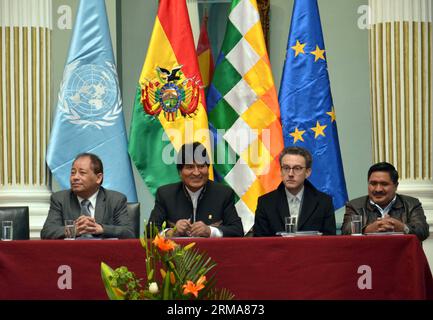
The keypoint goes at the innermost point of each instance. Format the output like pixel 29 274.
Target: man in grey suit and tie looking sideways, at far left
pixel 97 212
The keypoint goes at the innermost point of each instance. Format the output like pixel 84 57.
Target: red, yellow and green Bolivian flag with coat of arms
pixel 169 108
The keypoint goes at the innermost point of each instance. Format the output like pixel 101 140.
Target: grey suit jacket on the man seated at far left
pixel 110 212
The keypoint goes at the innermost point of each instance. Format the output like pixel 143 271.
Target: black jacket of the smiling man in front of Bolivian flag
pixel 215 207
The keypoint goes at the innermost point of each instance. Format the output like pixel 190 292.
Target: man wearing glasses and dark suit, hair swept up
pixel 295 196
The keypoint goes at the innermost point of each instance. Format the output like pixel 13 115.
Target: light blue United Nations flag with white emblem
pixel 89 115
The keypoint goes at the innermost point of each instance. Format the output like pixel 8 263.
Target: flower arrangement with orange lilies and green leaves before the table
pixel 183 273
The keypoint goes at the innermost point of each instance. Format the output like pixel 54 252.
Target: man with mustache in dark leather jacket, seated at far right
pixel 383 209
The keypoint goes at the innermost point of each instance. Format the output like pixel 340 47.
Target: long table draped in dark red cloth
pixel 307 267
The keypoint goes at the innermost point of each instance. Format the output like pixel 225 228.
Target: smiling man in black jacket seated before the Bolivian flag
pixel 196 206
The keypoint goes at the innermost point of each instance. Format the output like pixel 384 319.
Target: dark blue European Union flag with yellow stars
pixel 307 110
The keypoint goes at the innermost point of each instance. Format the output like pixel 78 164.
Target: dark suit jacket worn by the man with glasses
pixel 317 212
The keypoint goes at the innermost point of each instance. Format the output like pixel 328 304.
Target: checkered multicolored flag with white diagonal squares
pixel 243 112
